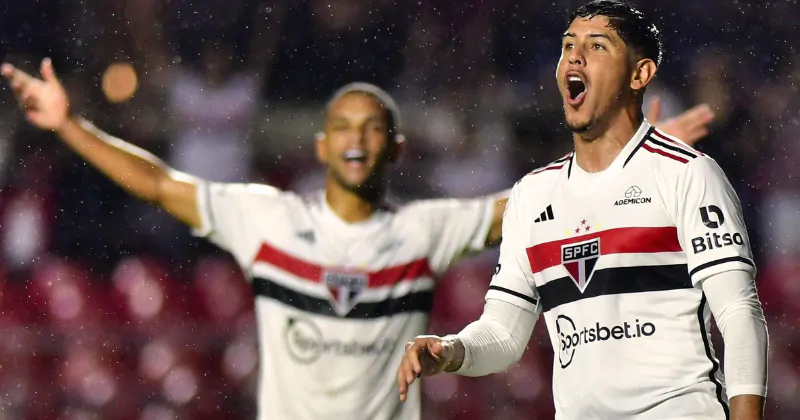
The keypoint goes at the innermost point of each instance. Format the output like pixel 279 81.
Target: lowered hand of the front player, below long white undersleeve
pixel 427 355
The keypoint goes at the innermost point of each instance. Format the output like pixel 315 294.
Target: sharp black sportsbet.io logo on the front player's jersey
pixel 571 336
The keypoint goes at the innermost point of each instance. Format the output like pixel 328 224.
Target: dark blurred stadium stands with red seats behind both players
pixel 111 310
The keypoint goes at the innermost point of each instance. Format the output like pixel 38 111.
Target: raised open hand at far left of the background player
pixel 44 100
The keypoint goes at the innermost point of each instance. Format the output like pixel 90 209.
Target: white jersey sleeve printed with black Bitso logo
pixel 711 227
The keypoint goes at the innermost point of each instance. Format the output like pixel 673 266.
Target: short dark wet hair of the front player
pixel 635 29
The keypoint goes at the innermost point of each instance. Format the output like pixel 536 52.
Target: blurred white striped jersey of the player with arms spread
pixel 335 301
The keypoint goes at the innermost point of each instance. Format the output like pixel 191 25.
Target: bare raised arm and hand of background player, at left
pixel 46 106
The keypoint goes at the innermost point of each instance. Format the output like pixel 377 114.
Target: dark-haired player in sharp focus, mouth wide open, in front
pixel 627 245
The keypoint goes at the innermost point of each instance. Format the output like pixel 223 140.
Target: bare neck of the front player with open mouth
pixel 595 151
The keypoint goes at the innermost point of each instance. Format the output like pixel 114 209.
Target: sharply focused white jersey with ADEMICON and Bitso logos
pixel 616 261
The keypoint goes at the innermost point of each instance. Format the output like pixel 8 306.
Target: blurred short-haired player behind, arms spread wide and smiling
pixel 342 278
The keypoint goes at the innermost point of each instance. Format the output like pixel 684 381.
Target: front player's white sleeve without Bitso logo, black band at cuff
pixel 513 280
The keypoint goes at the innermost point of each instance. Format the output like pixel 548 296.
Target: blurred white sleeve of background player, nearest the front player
pixel 457 227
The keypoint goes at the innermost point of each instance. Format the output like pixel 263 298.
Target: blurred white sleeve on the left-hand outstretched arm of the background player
pixel 229 213
